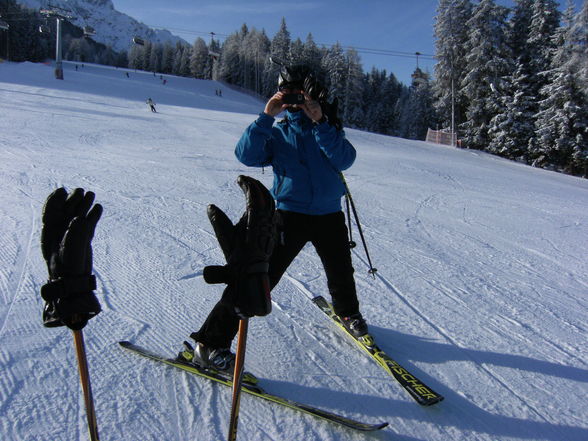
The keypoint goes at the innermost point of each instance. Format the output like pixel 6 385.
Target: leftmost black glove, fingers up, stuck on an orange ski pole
pixel 66 236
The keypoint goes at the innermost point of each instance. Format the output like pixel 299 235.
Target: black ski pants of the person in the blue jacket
pixel 328 234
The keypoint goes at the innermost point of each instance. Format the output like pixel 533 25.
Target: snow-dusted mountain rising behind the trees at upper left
pixel 113 28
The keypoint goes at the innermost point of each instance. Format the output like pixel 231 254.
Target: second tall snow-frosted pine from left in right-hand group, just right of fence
pixel 487 63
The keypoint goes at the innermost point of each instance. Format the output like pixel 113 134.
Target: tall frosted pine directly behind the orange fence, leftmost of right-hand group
pixel 451 34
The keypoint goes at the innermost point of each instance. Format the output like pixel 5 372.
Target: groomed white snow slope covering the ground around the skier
pixel 482 288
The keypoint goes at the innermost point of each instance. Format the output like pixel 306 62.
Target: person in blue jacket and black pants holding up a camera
pixel 307 151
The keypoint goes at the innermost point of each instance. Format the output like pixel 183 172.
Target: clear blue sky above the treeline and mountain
pixel 400 27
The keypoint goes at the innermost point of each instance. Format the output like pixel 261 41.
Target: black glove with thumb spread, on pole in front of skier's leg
pixel 247 247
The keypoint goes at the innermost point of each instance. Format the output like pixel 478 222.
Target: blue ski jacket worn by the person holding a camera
pixel 306 160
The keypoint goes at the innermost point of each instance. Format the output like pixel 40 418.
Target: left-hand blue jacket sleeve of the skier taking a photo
pixel 254 149
